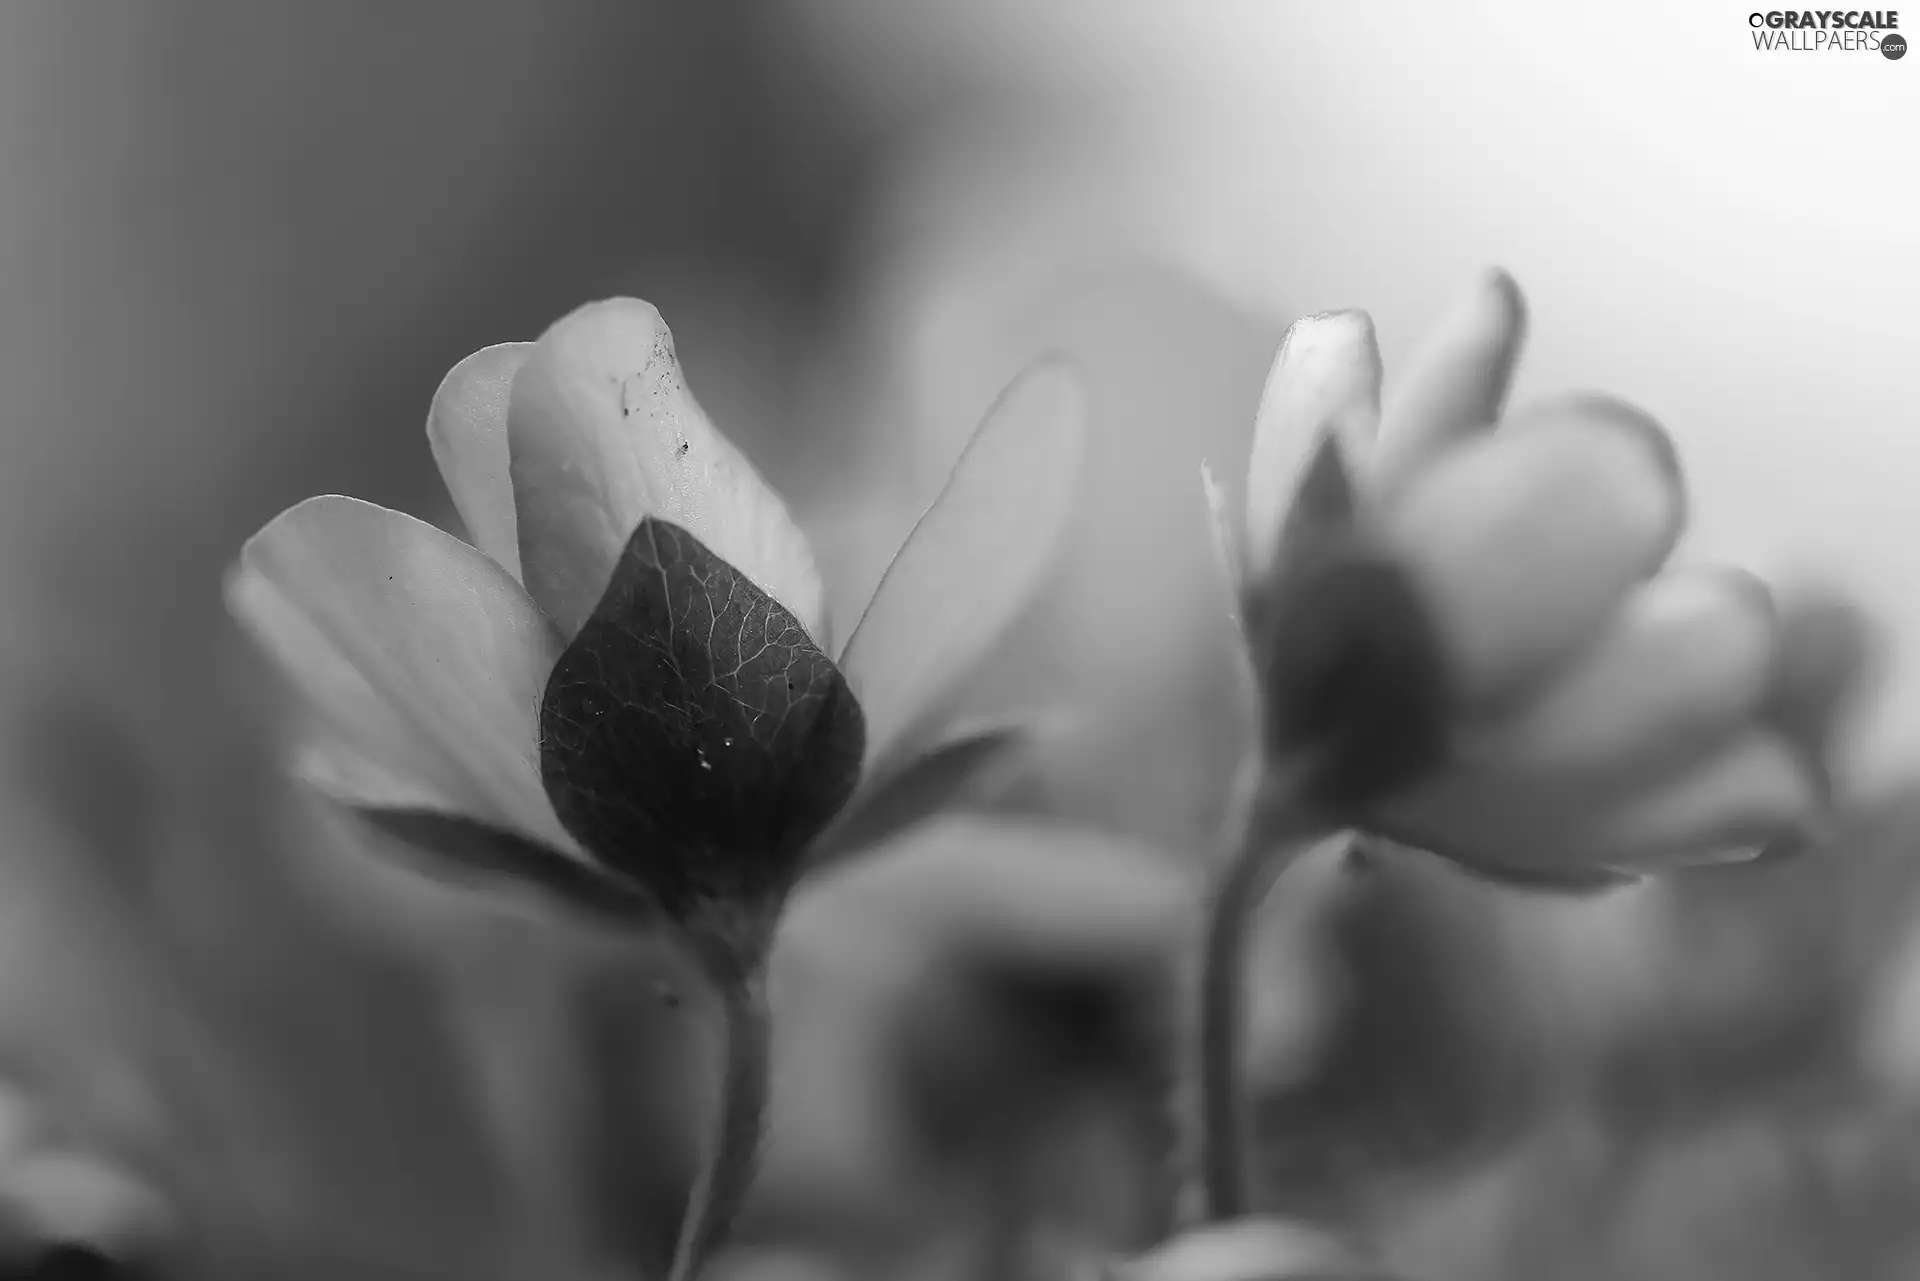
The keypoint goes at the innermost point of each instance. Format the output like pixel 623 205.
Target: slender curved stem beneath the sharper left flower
pixel 742 1111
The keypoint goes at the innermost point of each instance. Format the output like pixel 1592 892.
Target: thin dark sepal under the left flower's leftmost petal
pixel 469 852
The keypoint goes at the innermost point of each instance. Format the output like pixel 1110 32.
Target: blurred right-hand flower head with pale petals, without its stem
pixel 1468 637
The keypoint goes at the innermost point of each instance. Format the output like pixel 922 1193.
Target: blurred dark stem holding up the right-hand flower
pixel 1264 834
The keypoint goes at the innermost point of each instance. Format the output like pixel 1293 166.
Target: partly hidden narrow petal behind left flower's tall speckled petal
pixel 468 433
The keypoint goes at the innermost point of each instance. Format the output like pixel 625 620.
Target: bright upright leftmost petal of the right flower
pixel 1326 381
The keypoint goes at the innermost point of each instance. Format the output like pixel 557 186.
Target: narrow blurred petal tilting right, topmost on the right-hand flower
pixel 1454 383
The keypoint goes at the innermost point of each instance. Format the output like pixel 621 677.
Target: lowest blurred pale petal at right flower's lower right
pixel 1729 808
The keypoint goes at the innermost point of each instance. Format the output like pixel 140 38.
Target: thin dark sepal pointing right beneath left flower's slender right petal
pixel 969 769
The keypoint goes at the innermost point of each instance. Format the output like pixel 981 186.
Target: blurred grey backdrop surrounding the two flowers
pixel 239 247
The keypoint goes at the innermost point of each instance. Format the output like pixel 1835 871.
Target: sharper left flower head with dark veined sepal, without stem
pixel 629 669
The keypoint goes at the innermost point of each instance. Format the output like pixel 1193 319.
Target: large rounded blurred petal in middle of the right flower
pixel 1527 539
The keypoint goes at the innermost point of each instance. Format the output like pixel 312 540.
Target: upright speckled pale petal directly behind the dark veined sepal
pixel 606 433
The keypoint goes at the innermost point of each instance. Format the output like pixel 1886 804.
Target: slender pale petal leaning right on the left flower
pixel 976 558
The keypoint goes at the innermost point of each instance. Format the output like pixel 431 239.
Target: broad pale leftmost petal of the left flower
pixel 412 648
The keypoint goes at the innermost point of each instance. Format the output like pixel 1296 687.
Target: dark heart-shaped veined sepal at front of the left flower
pixel 694 737
